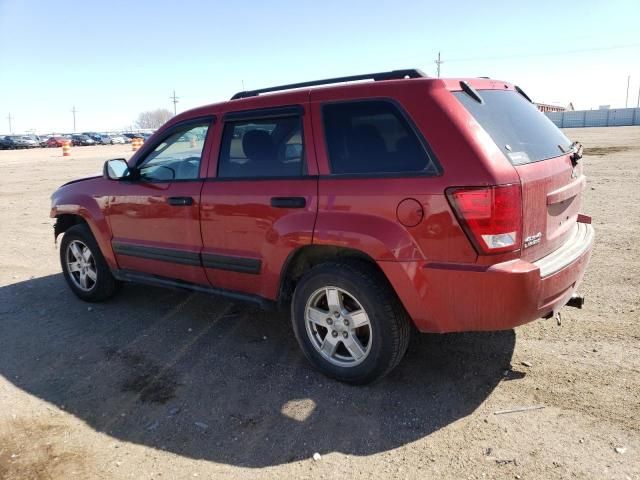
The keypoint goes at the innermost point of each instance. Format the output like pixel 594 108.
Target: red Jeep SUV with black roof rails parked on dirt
pixel 450 204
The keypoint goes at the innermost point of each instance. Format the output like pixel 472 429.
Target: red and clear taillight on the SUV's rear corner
pixel 491 216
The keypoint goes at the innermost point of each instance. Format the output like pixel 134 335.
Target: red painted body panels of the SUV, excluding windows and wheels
pixel 438 275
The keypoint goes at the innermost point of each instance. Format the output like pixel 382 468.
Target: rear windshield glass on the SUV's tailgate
pixel 520 130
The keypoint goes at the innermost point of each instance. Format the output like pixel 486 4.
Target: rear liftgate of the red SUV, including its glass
pixel 551 185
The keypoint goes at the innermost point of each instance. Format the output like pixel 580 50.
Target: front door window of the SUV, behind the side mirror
pixel 177 157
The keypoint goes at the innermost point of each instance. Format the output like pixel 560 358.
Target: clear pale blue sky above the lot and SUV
pixel 112 60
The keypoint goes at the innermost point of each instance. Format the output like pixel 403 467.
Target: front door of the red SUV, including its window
pixel 155 219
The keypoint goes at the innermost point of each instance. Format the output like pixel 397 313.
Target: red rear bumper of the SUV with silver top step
pixel 457 298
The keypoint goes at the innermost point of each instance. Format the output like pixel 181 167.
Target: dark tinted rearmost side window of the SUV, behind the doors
pixel 372 137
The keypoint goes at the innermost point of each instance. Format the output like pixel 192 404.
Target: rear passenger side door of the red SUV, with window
pixel 261 203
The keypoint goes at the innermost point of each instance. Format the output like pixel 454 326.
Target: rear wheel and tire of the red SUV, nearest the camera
pixel 349 322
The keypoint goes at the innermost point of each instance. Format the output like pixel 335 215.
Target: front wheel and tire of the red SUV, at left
pixel 84 267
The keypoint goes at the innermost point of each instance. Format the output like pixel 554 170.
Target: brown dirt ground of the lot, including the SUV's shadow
pixel 164 384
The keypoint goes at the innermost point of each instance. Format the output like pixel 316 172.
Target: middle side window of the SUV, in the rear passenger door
pixel 262 148
